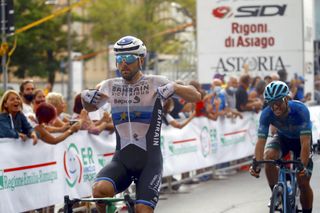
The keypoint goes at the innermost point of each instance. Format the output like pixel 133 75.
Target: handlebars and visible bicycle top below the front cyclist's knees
pixel 109 201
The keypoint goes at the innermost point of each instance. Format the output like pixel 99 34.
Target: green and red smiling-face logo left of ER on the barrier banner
pixel 72 165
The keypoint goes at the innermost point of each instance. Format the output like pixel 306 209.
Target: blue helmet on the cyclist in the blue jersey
pixel 275 91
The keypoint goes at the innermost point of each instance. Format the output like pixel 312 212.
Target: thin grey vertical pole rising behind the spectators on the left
pixel 70 72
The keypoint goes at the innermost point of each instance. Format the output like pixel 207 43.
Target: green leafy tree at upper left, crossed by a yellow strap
pixel 39 49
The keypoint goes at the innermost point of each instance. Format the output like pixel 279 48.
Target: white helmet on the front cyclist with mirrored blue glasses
pixel 130 45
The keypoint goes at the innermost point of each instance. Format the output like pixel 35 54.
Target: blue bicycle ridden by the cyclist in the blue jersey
pixel 282 200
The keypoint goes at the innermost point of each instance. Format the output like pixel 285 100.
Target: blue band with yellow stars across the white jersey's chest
pixel 136 116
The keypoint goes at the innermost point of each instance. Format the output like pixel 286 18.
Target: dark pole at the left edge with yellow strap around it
pixel 4 40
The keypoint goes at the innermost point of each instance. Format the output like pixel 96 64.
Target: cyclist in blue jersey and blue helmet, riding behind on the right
pixel 292 121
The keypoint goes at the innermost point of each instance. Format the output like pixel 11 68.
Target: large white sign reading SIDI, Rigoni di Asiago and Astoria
pixel 267 35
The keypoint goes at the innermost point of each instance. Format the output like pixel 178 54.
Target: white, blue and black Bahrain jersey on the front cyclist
pixel 136 110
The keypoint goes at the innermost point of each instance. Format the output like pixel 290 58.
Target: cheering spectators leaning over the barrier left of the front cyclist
pixel 31 113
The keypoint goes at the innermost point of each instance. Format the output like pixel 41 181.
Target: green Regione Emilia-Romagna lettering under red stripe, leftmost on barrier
pixel 11 178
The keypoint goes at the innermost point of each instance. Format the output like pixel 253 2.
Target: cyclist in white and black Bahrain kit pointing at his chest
pixel 136 102
